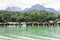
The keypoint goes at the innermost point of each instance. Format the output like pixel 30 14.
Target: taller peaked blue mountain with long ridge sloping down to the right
pixel 39 7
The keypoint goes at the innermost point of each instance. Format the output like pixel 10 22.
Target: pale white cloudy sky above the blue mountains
pixel 28 3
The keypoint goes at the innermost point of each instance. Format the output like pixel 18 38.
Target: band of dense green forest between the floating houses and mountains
pixel 30 16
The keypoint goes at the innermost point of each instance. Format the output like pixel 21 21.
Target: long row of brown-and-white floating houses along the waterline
pixel 50 23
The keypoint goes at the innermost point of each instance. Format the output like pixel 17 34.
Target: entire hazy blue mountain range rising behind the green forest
pixel 37 7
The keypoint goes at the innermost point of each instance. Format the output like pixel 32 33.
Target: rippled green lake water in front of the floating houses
pixel 30 33
